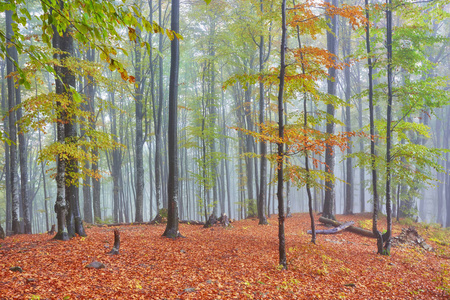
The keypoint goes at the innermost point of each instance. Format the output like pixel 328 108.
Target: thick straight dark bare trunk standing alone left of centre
pixel 172 185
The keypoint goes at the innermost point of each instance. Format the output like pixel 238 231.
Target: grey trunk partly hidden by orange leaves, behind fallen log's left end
pixel 330 193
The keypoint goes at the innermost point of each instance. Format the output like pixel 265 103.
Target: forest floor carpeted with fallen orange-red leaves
pixel 240 262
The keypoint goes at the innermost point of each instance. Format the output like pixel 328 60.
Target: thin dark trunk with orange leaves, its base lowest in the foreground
pixel 280 154
